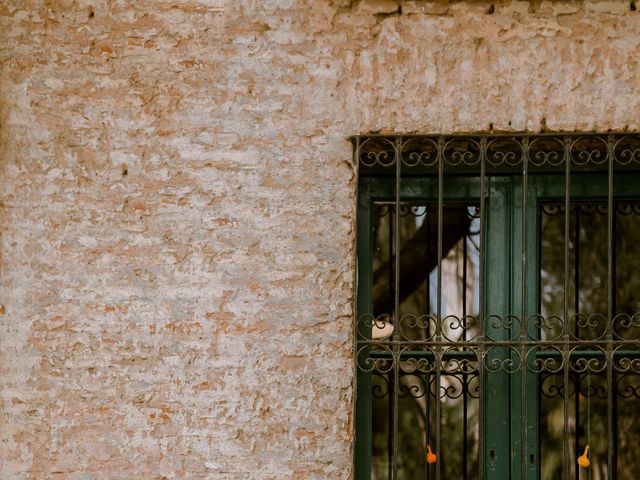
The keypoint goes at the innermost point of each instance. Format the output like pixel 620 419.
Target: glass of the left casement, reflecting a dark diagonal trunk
pixel 417 295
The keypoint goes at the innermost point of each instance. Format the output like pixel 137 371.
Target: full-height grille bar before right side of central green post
pixel 523 318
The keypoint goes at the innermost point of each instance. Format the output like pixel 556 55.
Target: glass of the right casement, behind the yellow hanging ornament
pixel 588 320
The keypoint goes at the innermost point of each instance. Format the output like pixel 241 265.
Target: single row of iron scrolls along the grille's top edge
pixel 500 152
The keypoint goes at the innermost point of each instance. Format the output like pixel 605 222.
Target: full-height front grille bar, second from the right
pixel 565 334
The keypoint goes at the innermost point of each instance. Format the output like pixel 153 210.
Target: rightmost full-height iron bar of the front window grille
pixel 609 356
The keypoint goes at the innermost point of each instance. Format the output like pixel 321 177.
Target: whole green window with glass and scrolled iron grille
pixel 498 307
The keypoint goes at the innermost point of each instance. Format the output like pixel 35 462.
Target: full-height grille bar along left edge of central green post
pixel 481 306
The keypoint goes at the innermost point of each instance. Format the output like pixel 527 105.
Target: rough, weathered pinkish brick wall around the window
pixel 177 208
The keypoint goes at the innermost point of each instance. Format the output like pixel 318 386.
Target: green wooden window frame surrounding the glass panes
pixel 509 179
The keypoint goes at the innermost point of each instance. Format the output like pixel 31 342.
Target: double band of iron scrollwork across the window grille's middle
pixel 539 346
